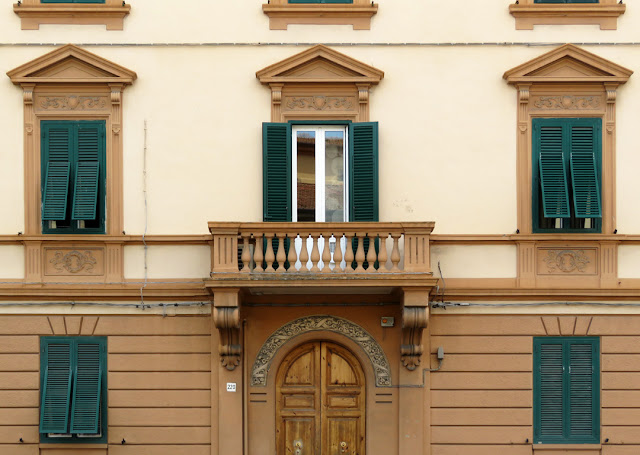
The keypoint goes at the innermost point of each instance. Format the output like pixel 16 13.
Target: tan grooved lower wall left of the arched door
pixel 159 379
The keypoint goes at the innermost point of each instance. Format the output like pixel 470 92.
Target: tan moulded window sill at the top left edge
pixel 34 15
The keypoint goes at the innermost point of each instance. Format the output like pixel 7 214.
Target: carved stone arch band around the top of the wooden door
pixel 354 332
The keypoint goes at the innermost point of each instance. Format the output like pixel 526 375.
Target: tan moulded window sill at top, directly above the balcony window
pixel 280 16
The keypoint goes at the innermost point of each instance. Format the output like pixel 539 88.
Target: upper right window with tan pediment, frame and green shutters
pixel 566 136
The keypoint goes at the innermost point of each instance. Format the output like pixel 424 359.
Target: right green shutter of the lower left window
pixel 85 411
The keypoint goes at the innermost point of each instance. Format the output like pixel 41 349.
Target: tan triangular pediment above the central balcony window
pixel 320 64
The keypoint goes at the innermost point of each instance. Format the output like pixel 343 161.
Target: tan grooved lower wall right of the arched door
pixel 482 398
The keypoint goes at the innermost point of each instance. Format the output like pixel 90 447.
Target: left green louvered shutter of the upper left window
pixel 57 141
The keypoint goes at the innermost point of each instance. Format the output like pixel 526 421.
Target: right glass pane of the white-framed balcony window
pixel 334 176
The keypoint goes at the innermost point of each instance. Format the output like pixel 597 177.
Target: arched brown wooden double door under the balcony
pixel 320 408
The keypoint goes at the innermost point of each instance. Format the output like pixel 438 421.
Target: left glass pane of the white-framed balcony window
pixel 306 175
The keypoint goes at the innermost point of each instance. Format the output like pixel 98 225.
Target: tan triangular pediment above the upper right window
pixel 568 63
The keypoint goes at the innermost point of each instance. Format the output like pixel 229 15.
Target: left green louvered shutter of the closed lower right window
pixel 549 386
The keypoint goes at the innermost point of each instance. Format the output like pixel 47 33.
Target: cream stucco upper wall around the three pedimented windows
pixel 447 118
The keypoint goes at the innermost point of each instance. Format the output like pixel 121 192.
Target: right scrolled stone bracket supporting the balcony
pixel 415 318
